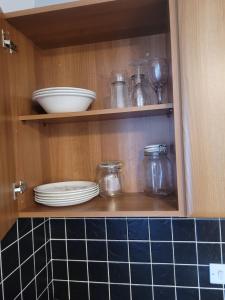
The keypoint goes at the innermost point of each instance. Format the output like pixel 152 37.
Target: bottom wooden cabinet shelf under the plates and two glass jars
pixel 135 204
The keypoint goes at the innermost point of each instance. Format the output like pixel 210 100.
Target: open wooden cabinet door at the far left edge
pixel 8 207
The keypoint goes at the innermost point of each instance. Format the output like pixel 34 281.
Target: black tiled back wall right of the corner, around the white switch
pixel 136 258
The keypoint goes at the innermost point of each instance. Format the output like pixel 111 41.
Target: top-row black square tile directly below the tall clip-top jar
pixel 160 230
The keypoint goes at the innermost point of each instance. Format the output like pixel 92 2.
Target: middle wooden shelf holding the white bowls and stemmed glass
pixel 101 114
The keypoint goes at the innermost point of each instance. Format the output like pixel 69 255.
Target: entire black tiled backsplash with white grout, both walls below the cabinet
pixel 113 259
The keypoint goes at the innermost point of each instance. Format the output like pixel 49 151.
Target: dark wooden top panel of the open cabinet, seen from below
pixel 89 21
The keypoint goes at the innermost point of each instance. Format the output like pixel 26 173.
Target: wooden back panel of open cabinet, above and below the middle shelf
pixel 73 150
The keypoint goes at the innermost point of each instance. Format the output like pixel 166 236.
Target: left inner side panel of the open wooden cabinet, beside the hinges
pixel 22 82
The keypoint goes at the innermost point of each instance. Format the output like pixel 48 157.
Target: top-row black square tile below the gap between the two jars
pixel 138 229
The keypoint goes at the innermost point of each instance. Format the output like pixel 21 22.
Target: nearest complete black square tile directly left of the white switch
pixel 186 276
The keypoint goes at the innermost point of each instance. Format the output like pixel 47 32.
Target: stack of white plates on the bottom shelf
pixel 66 193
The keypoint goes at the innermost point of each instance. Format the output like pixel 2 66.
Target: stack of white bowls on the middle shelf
pixel 64 99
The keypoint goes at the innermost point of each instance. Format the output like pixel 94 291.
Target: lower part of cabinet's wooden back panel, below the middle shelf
pixel 74 149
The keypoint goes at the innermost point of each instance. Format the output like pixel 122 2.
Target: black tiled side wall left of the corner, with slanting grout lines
pixel 25 261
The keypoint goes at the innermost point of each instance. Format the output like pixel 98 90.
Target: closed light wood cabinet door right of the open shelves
pixel 202 51
